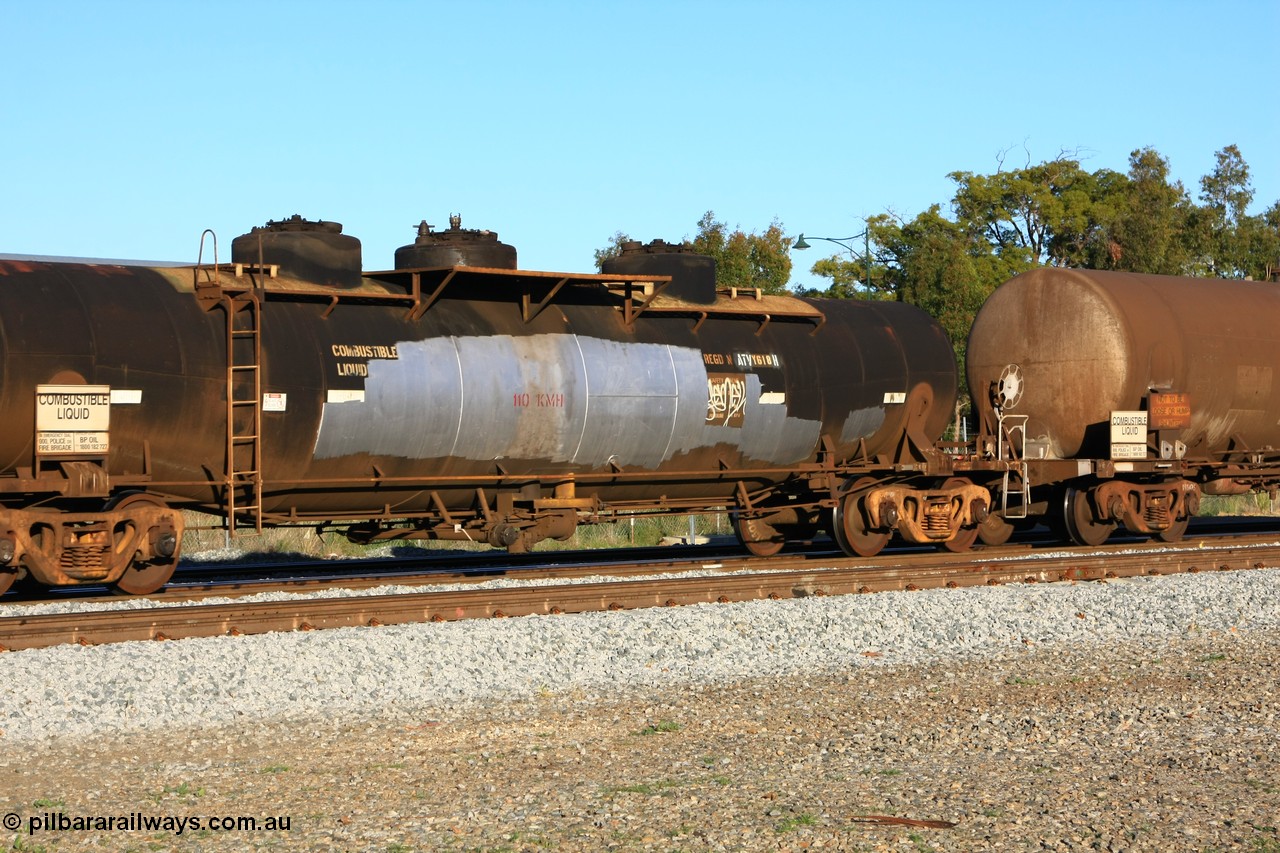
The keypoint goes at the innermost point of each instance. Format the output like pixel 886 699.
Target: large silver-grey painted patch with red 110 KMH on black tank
pixel 557 398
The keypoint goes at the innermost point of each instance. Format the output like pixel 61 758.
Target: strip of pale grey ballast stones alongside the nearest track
pixel 405 669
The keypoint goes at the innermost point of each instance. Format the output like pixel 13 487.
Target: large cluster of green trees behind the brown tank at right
pixel 1055 213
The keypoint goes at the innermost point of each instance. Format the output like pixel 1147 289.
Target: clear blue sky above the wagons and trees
pixel 131 127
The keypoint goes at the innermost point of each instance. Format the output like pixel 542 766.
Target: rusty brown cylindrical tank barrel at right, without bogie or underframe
pixel 1081 345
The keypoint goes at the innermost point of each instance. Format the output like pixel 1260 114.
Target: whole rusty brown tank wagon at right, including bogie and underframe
pixel 1121 399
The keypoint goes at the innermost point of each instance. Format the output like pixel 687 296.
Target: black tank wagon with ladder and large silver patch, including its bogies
pixel 452 402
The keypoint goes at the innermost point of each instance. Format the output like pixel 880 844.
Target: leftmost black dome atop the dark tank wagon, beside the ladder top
pixel 314 250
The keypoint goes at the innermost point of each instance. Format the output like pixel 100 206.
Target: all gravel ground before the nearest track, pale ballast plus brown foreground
pixel 1136 715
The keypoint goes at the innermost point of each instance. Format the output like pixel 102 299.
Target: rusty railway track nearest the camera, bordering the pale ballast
pixel 788 577
